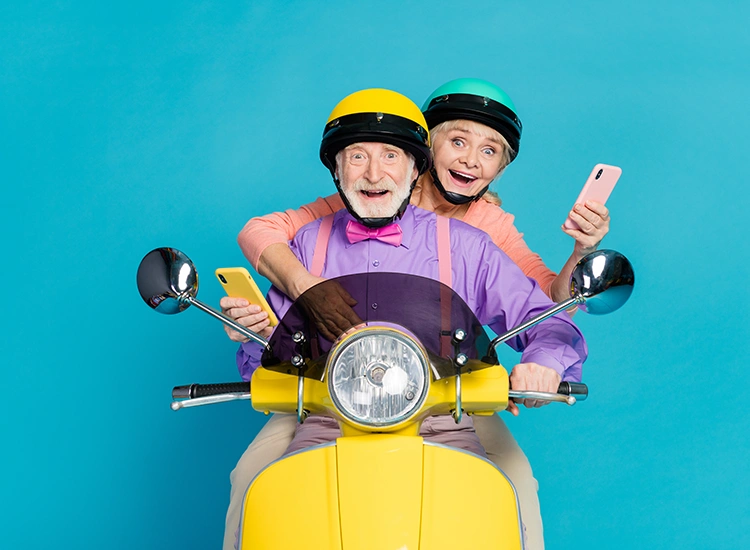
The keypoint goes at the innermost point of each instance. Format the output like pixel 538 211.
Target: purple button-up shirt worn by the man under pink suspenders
pixel 494 287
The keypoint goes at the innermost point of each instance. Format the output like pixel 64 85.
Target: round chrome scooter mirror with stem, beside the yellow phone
pixel 168 283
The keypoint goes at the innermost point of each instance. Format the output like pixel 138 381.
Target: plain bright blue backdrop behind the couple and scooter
pixel 149 124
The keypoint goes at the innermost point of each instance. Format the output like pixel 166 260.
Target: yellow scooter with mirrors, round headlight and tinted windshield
pixel 418 351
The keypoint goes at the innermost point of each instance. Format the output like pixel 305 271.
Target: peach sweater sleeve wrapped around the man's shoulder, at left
pixel 281 227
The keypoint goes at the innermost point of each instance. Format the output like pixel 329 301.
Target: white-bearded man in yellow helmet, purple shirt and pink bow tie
pixel 376 144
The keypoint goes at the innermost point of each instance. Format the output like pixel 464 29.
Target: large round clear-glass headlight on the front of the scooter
pixel 378 376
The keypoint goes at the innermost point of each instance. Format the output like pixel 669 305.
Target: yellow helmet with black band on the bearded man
pixel 376 115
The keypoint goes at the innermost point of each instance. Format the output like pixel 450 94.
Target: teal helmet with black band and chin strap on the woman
pixel 479 101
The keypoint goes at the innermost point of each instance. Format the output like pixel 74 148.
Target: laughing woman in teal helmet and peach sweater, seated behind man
pixel 475 135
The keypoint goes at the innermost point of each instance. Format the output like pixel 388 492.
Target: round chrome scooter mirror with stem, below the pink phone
pixel 601 283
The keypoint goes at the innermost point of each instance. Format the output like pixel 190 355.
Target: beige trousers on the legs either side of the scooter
pixel 272 441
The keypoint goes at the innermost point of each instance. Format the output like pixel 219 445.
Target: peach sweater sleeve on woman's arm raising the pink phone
pixel 498 224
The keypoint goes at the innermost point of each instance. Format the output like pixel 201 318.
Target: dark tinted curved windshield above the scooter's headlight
pixel 429 310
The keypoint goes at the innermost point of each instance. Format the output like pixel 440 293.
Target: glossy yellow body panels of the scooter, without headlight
pixel 381 490
